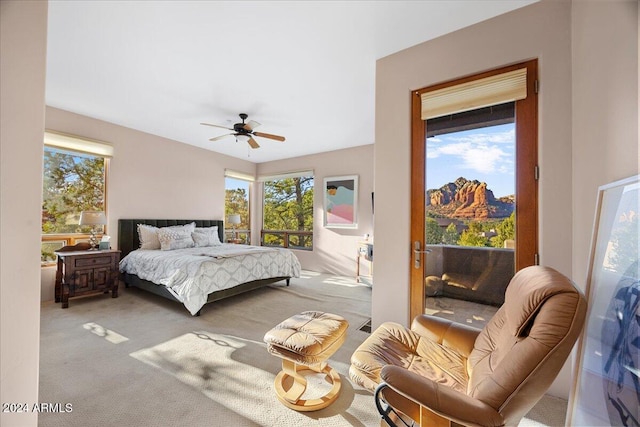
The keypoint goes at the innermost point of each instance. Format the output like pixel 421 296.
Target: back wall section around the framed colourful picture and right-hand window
pixel 334 250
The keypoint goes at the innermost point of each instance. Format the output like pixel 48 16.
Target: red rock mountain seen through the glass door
pixel 469 200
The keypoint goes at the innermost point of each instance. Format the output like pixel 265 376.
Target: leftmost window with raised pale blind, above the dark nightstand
pixel 74 177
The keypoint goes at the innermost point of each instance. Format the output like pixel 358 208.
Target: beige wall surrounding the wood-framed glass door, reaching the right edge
pixel 600 38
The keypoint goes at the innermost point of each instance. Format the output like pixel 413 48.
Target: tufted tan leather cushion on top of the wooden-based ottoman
pixel 308 338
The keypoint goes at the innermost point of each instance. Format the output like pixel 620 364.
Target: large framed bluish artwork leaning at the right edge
pixel 606 387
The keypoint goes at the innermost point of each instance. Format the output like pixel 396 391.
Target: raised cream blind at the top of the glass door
pixel 493 90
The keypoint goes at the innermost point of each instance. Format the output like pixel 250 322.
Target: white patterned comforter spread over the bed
pixel 191 274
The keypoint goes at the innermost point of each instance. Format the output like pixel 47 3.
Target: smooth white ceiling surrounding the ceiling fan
pixel 304 69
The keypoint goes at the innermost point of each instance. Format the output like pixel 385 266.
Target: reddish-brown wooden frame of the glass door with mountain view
pixel 526 185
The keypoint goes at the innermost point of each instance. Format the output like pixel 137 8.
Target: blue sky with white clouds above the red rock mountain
pixel 486 154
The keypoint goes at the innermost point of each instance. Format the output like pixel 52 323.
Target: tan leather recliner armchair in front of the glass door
pixel 440 372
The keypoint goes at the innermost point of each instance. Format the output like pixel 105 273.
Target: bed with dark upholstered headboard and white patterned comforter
pixel 196 276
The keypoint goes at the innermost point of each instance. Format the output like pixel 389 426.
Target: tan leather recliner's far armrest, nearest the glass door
pixel 443 331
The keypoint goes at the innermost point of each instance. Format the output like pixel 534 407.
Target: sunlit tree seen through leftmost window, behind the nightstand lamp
pixel 71 183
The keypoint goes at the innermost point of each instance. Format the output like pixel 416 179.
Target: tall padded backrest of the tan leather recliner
pixel 519 353
